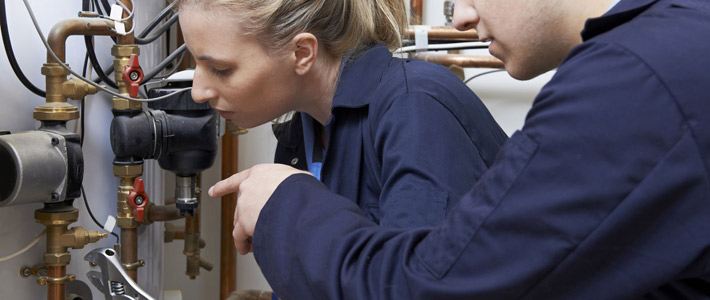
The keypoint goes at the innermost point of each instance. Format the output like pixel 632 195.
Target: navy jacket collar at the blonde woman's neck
pixel 360 76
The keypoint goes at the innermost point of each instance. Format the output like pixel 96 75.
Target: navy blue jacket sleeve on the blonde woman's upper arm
pixel 428 161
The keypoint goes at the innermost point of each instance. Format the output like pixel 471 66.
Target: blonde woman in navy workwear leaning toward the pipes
pixel 404 139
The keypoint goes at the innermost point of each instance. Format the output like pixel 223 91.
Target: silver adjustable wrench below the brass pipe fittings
pixel 113 281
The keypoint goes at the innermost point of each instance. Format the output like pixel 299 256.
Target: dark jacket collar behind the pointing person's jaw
pixel 619 14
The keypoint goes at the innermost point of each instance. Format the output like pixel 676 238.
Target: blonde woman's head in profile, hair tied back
pixel 256 59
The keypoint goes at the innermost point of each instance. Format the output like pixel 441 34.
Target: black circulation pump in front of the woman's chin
pixel 179 133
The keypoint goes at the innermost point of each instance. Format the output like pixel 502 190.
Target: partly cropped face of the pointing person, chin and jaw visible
pixel 530 36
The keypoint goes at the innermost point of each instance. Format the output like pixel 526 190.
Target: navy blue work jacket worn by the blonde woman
pixel 406 139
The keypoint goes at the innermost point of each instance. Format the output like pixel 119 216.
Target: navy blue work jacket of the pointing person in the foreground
pixel 604 193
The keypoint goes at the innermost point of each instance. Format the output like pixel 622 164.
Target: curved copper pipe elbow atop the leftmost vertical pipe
pixel 77 26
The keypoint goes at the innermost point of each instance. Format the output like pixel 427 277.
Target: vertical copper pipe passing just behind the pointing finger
pixel 228 254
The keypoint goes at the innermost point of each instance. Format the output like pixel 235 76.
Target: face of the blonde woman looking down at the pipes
pixel 234 73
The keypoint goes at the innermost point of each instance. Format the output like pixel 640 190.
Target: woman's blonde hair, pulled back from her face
pixel 339 25
